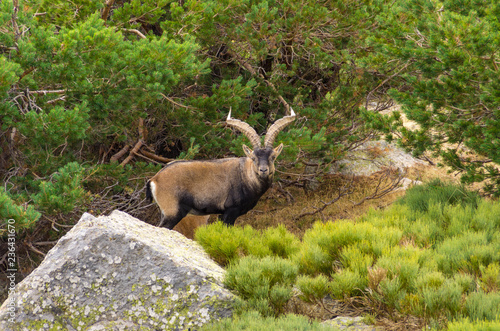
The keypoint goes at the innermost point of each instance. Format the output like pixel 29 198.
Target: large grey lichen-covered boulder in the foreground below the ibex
pixel 118 273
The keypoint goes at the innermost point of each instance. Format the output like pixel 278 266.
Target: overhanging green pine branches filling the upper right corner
pixel 444 55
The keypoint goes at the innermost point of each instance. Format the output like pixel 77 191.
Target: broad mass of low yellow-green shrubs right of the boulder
pixel 435 263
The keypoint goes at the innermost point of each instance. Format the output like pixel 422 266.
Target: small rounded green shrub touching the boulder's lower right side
pixel 265 284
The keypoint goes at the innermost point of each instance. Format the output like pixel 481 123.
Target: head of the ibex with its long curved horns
pixel 262 157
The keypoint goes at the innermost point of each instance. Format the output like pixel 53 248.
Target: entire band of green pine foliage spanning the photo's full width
pixel 81 80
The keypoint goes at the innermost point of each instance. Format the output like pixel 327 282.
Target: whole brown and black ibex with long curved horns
pixel 230 187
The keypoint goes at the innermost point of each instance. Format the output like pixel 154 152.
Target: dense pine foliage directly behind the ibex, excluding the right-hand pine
pixel 80 80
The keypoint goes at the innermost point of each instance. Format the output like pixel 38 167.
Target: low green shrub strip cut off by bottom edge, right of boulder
pixel 254 321
